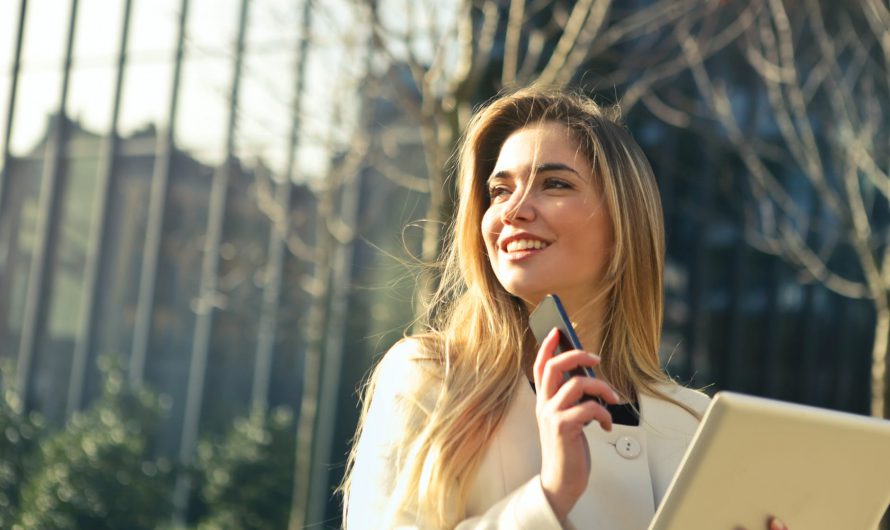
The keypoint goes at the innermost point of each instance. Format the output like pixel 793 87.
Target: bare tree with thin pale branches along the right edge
pixel 823 69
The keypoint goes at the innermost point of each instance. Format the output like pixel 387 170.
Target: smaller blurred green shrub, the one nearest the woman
pixel 246 475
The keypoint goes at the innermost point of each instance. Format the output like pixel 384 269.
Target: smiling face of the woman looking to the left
pixel 547 229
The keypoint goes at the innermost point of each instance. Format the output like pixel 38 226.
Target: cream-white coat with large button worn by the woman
pixel 631 466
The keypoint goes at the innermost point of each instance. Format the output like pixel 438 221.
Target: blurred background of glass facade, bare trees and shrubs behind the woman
pixel 213 215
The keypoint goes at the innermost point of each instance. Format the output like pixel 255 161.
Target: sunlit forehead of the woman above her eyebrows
pixel 537 144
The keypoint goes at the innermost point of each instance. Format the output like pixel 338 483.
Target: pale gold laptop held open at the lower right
pixel 753 458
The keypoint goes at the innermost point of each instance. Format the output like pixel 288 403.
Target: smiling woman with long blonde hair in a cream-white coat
pixel 472 424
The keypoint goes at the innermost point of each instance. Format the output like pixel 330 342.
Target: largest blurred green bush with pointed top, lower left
pixel 98 472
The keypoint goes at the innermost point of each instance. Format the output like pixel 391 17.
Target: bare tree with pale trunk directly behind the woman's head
pixel 458 58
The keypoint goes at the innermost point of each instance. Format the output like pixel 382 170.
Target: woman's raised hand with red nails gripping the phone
pixel 565 458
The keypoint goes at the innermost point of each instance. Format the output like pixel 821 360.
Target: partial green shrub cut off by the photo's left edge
pixel 19 435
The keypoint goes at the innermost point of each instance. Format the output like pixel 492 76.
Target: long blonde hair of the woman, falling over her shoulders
pixel 478 334
